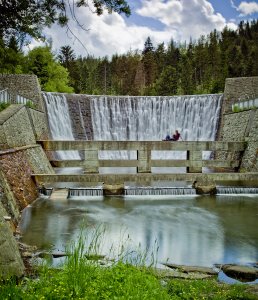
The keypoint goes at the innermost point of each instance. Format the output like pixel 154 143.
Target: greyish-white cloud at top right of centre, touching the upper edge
pixel 190 18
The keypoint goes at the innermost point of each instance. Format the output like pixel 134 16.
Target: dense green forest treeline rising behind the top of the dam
pixel 191 68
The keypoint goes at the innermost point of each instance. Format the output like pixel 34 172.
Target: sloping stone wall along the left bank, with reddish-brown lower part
pixel 20 157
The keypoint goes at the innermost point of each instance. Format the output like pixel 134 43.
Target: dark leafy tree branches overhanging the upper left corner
pixel 29 17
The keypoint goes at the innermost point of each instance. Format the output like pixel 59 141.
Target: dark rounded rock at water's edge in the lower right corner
pixel 242 273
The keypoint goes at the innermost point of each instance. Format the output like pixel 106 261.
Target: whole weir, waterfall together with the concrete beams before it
pixel 126 134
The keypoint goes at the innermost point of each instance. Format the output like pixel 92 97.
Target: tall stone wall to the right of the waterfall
pixel 240 126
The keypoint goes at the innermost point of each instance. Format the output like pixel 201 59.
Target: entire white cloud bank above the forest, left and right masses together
pixel 109 34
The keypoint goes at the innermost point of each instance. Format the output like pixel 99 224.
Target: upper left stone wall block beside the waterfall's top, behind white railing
pixel 24 85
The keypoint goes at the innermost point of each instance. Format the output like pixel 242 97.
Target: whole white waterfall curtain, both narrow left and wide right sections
pixel 138 118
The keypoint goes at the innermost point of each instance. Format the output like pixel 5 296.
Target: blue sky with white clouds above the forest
pixel 161 20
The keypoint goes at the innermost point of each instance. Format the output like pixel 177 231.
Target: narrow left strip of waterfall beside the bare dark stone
pixel 59 122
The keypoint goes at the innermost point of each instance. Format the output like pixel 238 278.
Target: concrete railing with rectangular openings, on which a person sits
pixel 144 162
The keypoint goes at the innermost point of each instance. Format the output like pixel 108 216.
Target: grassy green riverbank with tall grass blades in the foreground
pixel 85 275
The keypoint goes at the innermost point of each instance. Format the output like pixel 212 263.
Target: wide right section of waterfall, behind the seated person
pixel 152 118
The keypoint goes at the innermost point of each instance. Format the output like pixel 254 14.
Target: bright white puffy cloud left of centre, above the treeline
pixel 107 35
